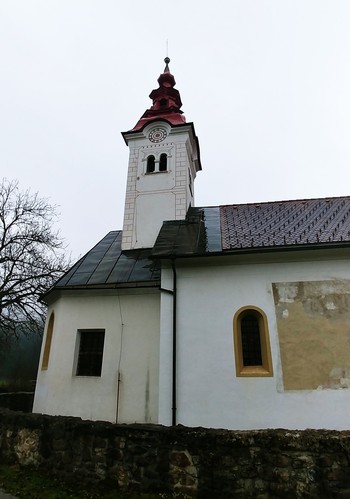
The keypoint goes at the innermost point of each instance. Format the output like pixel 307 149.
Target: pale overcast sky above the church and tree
pixel 266 83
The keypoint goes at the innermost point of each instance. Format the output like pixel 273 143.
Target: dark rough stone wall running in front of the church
pixel 199 462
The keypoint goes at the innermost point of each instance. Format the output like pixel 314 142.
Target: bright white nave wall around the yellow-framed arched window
pixel 208 391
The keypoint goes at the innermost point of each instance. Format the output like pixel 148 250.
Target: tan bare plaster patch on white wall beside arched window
pixel 313 328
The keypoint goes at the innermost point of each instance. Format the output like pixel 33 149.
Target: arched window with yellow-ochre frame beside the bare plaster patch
pixel 252 343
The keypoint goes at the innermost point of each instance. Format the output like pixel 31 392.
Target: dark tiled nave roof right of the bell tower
pixel 248 227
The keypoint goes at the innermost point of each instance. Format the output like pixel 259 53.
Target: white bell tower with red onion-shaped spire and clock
pixel 163 162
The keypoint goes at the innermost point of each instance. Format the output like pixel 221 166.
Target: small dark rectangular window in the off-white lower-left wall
pixel 90 355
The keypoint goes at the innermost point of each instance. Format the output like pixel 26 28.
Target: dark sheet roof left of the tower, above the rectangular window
pixel 105 265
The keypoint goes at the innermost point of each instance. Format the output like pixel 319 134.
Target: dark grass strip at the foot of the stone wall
pixel 33 484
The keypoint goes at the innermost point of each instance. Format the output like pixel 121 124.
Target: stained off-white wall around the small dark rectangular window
pixel 131 348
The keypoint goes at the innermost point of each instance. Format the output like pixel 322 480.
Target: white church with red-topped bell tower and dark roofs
pixel 234 316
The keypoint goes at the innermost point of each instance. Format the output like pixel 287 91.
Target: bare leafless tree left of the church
pixel 31 258
